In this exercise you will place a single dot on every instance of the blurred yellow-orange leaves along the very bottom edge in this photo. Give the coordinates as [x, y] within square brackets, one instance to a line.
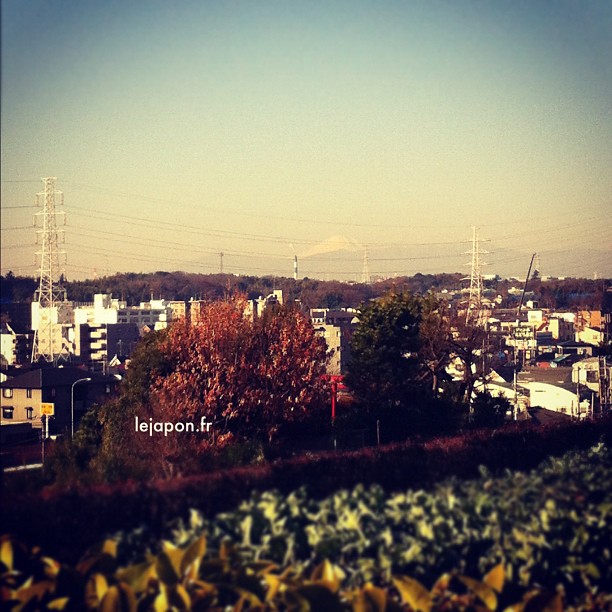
[186, 579]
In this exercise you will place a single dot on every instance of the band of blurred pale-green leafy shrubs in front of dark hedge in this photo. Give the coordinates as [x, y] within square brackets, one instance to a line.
[549, 527]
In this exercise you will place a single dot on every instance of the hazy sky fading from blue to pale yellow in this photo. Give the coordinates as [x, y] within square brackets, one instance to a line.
[367, 138]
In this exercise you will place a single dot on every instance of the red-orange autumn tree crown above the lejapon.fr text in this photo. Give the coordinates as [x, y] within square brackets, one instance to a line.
[247, 377]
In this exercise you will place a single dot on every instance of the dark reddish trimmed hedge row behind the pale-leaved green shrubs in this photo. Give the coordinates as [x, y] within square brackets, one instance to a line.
[66, 522]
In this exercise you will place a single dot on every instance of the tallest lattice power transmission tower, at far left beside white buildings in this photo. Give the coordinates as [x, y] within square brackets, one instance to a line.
[48, 308]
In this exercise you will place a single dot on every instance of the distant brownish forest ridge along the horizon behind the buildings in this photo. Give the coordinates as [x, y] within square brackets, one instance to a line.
[139, 287]
